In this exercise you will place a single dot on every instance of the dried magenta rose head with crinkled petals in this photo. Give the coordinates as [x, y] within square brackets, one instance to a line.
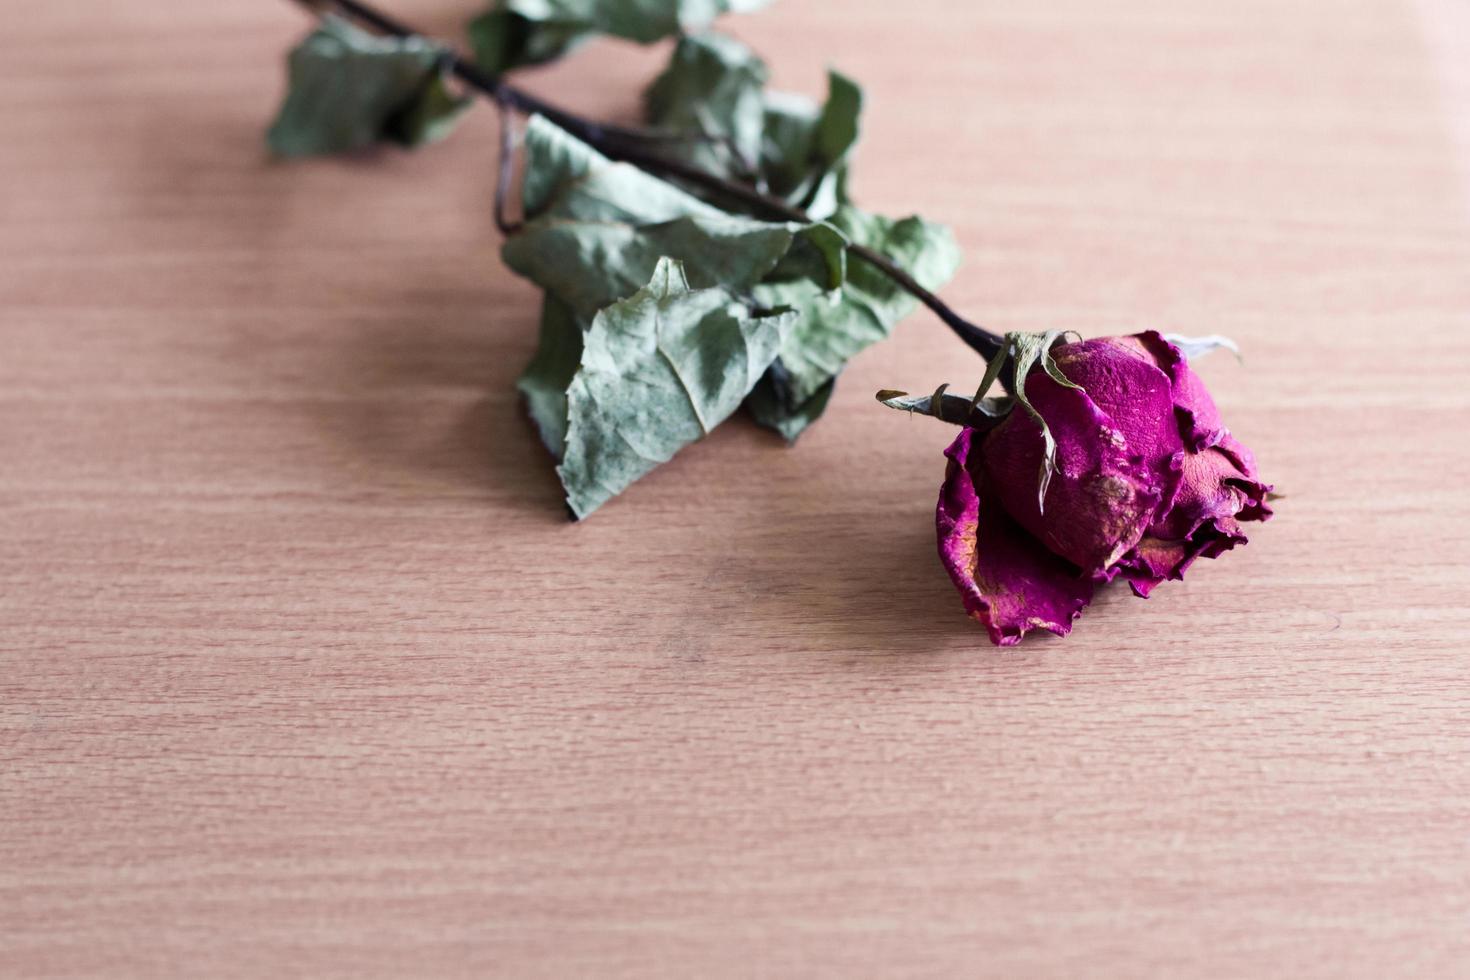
[1146, 480]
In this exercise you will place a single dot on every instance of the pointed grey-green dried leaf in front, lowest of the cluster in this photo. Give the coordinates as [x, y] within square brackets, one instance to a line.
[659, 371]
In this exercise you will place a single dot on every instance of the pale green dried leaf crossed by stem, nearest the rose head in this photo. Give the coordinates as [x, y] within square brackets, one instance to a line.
[836, 325]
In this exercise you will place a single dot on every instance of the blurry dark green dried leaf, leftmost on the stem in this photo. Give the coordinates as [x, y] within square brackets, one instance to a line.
[351, 90]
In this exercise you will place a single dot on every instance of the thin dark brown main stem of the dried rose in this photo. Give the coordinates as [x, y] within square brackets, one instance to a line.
[621, 143]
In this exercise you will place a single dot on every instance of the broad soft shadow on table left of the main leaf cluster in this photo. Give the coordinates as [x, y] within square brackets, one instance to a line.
[401, 355]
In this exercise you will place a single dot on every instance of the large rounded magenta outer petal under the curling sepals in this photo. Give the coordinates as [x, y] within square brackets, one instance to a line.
[1118, 453]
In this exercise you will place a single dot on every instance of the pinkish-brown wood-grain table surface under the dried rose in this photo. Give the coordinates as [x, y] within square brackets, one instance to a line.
[304, 672]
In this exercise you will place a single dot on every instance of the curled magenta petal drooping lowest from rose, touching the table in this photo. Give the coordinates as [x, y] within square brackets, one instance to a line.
[1009, 581]
